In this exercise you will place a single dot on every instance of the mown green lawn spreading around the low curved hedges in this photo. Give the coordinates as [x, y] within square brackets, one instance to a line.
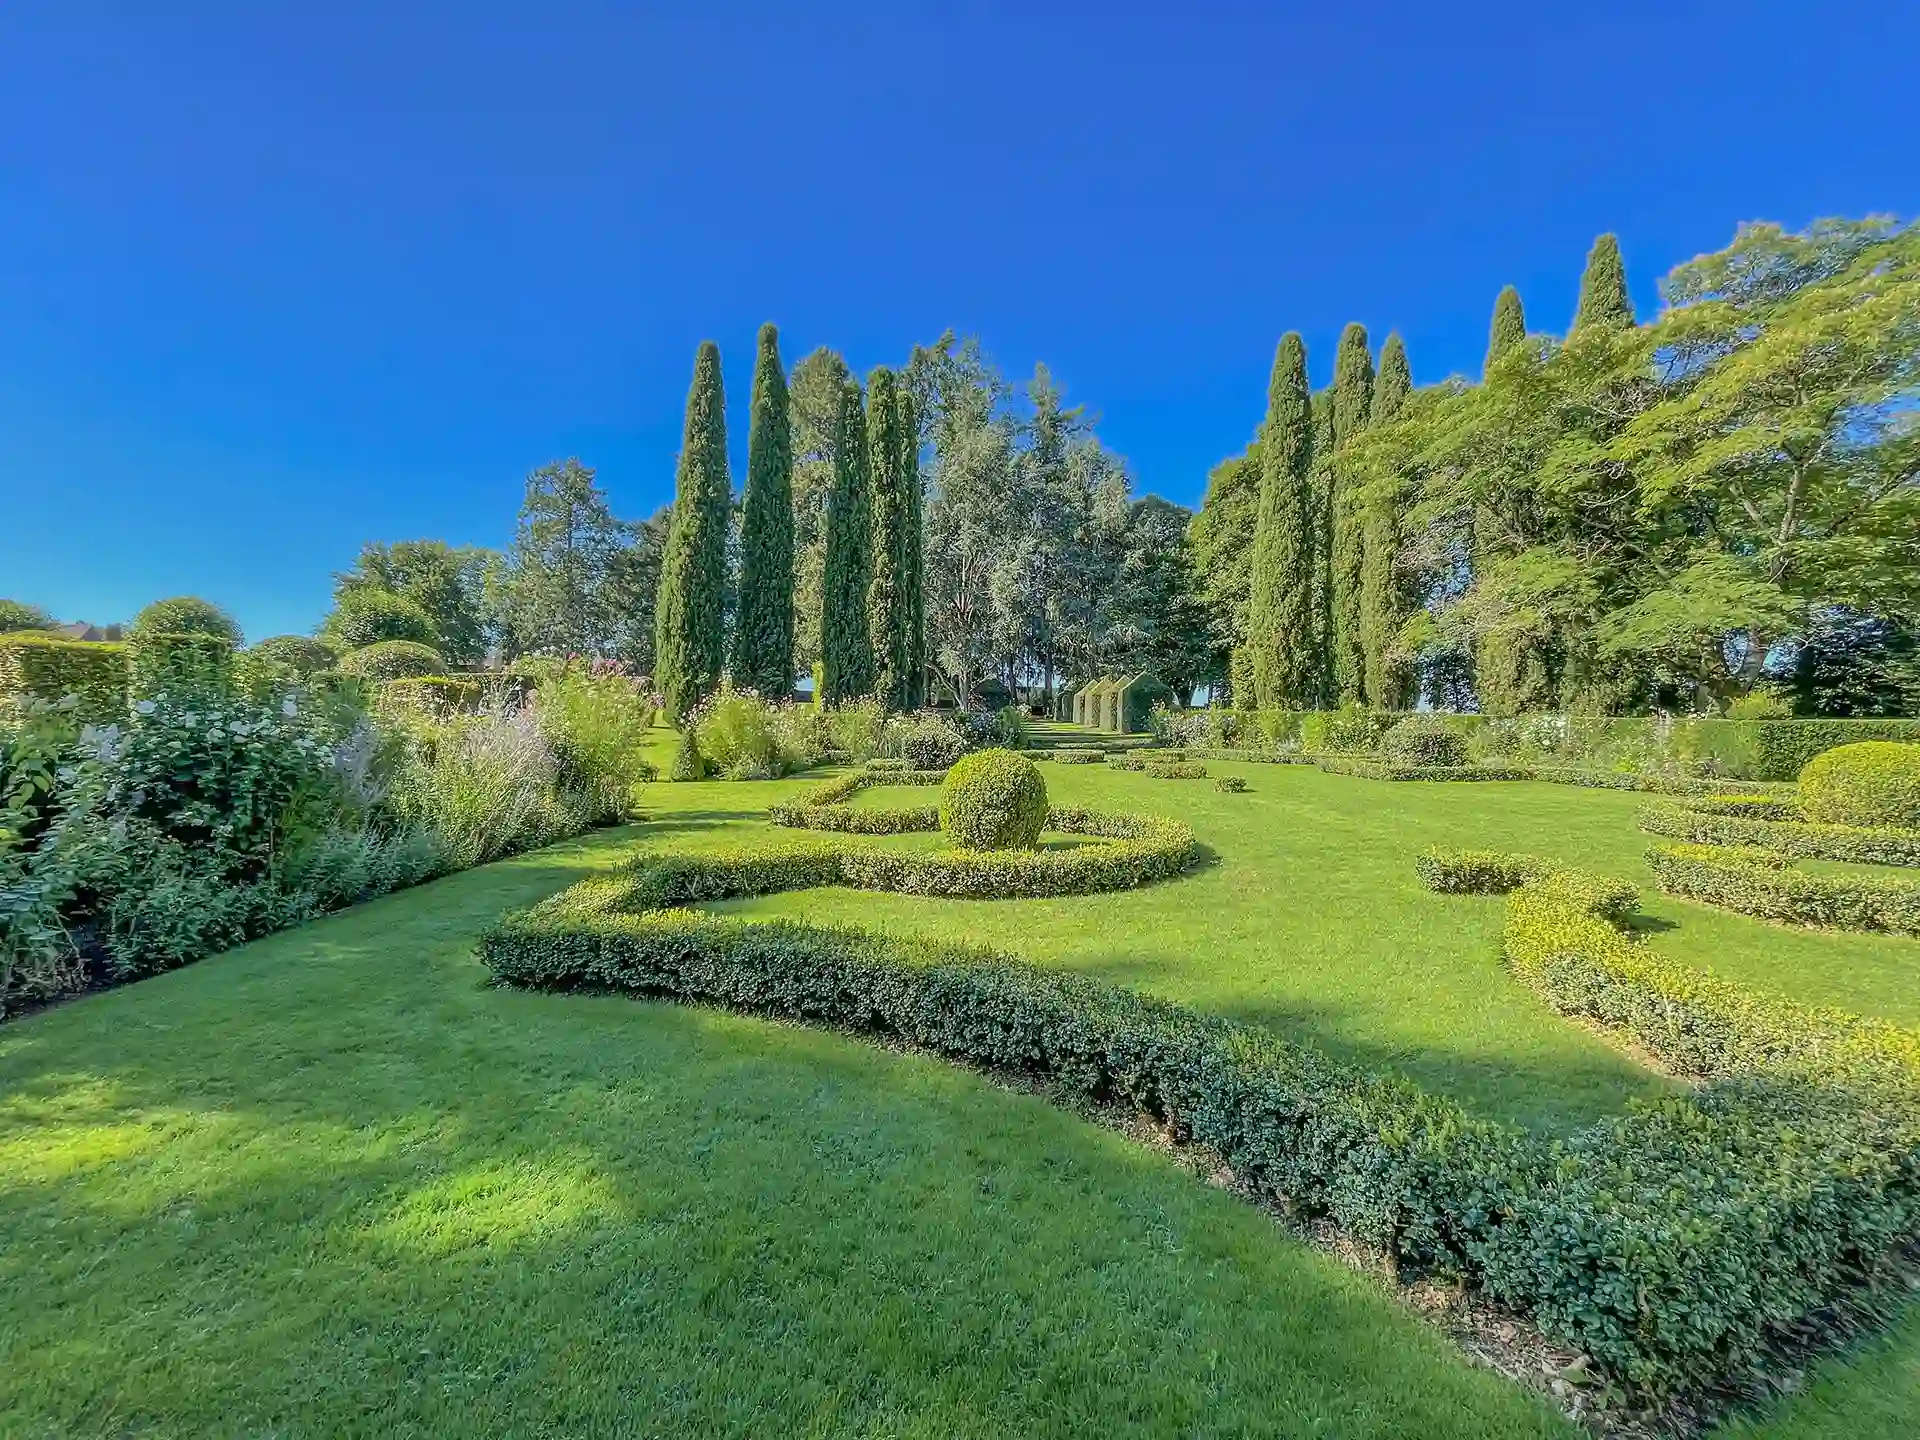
[333, 1186]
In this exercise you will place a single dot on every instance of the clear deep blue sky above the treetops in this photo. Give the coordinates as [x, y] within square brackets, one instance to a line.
[277, 279]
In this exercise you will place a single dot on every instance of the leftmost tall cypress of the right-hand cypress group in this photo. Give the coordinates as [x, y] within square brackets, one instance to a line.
[1280, 623]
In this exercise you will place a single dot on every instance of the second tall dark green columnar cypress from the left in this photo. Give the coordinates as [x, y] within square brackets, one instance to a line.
[763, 623]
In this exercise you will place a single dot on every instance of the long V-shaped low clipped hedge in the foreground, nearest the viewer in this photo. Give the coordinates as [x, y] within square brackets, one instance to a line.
[1669, 1243]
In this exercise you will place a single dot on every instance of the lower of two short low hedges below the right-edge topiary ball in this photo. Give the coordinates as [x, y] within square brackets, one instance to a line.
[1760, 882]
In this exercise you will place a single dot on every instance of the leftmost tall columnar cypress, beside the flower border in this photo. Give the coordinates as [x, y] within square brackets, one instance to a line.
[690, 613]
